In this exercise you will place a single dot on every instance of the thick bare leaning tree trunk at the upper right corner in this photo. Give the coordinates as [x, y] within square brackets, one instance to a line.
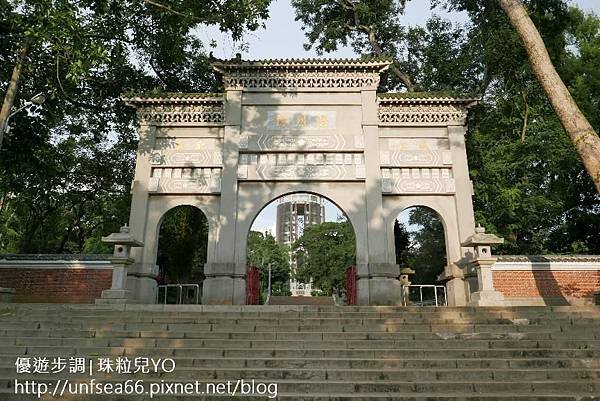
[578, 128]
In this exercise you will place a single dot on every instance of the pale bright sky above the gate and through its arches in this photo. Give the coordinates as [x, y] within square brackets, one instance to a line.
[284, 38]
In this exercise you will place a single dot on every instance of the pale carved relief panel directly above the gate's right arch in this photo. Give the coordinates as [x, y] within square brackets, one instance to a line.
[417, 181]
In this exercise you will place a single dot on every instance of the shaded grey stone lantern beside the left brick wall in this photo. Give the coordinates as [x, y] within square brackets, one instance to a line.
[123, 242]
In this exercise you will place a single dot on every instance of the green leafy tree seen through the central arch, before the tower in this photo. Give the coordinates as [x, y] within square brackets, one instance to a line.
[324, 252]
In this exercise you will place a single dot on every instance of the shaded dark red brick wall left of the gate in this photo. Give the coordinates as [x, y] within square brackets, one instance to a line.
[56, 285]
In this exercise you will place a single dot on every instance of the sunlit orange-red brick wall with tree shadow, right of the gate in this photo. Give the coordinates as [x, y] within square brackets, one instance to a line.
[547, 283]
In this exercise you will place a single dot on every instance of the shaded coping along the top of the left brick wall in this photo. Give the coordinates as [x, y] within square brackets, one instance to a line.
[55, 261]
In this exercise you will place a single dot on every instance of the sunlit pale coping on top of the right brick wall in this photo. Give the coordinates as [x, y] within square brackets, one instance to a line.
[550, 262]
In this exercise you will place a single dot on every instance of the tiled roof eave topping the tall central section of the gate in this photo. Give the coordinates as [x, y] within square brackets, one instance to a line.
[375, 64]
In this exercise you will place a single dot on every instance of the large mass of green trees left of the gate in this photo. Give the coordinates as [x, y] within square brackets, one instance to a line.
[66, 168]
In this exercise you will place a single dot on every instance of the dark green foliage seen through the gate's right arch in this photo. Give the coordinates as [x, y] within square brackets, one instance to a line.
[424, 249]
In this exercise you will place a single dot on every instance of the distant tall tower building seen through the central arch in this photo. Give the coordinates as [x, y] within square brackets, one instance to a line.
[294, 212]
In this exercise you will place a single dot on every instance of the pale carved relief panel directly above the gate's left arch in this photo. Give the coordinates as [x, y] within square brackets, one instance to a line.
[185, 180]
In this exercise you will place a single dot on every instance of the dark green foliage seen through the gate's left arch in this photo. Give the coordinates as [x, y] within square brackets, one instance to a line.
[182, 244]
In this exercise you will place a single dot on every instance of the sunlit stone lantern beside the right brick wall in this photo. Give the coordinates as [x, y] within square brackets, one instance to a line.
[482, 261]
